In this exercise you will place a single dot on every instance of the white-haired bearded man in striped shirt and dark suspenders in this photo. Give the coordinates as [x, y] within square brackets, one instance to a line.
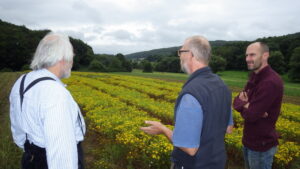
[46, 122]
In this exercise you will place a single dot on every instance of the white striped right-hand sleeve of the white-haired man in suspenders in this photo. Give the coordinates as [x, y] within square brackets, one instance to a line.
[60, 139]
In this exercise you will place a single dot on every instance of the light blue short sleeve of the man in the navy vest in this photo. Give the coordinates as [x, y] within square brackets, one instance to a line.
[188, 124]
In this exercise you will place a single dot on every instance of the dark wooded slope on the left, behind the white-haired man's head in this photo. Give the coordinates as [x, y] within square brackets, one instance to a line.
[18, 44]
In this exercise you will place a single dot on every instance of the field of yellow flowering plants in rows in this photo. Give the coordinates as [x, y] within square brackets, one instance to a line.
[116, 107]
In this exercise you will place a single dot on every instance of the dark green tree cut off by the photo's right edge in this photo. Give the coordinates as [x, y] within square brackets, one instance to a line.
[294, 72]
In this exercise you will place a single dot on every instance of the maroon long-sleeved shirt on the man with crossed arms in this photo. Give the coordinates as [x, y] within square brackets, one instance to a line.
[265, 91]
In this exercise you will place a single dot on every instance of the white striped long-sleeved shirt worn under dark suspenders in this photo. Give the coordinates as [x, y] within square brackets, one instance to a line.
[49, 116]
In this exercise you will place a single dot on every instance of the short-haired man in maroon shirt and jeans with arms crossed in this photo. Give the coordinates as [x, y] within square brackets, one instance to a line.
[259, 105]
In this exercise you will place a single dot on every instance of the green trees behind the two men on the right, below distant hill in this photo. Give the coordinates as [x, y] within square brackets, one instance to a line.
[284, 56]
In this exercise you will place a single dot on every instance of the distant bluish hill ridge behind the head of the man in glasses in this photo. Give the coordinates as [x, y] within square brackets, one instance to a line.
[171, 51]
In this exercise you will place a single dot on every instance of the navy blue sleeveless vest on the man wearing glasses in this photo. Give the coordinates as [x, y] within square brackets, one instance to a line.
[215, 99]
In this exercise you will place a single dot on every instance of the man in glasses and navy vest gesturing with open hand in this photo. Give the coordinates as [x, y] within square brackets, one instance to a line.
[202, 112]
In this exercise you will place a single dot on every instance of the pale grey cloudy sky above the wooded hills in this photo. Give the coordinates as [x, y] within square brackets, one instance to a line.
[127, 26]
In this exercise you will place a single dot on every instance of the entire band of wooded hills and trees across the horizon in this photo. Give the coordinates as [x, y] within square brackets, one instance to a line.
[18, 44]
